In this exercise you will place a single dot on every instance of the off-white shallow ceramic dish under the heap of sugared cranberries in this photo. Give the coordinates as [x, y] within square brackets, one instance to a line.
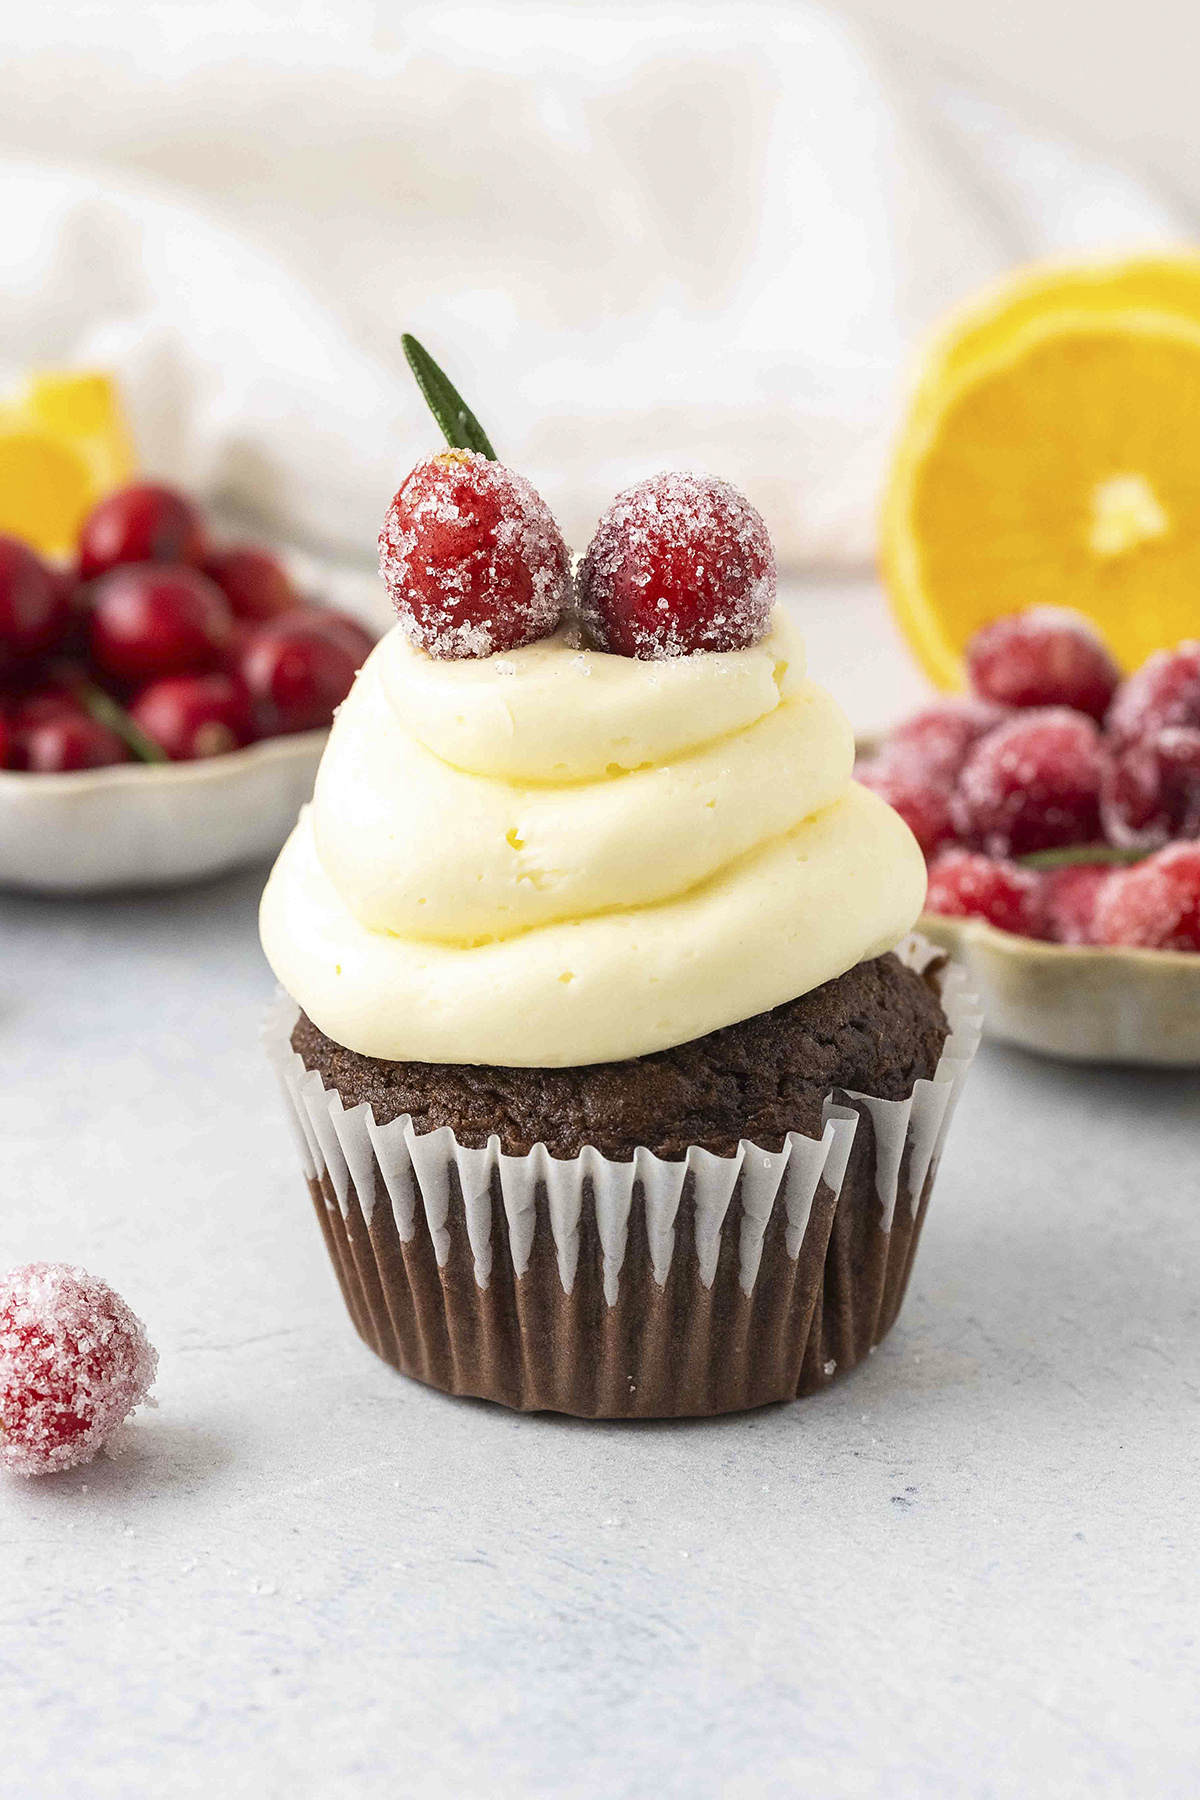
[1091, 1005]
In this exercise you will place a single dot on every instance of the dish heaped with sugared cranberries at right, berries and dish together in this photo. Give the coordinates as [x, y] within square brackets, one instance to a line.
[1059, 809]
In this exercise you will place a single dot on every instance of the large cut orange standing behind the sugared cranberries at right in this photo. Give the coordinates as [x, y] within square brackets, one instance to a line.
[1052, 456]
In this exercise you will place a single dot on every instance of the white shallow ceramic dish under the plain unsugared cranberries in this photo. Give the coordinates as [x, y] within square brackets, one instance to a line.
[157, 825]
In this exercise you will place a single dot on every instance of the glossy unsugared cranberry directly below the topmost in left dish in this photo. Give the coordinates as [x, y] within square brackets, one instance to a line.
[157, 622]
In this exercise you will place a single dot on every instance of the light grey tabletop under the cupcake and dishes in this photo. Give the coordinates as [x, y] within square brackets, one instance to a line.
[967, 1570]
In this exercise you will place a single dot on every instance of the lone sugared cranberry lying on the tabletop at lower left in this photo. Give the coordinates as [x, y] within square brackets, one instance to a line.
[75, 1362]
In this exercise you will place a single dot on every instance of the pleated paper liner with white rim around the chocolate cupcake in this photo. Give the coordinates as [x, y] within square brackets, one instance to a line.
[640, 1290]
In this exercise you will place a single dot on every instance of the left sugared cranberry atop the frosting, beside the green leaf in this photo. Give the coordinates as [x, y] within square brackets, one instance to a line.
[472, 559]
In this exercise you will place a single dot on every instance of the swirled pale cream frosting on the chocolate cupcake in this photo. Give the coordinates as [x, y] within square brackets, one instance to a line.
[559, 856]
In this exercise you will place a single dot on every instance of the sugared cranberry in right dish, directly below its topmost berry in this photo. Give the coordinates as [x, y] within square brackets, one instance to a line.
[1032, 784]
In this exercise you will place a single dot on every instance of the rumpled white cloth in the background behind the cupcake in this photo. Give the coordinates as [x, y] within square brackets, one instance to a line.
[659, 237]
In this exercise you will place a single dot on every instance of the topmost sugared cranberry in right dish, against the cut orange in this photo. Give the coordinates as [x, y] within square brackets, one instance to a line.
[1044, 656]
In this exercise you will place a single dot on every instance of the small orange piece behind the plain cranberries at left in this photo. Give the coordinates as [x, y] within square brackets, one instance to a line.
[64, 445]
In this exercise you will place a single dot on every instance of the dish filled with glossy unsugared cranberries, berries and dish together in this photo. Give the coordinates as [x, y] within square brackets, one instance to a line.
[163, 703]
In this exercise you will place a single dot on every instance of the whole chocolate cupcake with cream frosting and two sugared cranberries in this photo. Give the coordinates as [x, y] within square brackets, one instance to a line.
[618, 1081]
